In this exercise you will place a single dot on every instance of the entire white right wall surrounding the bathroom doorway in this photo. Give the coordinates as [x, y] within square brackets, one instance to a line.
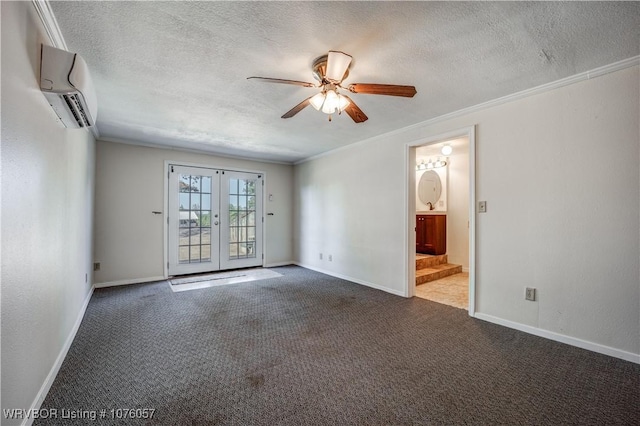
[560, 173]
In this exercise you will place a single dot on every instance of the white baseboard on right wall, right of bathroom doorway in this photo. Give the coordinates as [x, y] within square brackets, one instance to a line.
[573, 341]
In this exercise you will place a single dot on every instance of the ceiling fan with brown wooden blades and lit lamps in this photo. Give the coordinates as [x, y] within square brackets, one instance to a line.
[331, 70]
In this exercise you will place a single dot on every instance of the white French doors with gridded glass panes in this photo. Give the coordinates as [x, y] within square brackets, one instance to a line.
[215, 220]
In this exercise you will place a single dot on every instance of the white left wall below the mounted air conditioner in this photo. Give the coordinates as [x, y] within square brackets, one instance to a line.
[47, 210]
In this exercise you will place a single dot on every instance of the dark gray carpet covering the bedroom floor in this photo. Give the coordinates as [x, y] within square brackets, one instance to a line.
[308, 349]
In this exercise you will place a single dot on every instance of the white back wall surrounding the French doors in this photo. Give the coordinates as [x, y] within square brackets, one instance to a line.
[130, 185]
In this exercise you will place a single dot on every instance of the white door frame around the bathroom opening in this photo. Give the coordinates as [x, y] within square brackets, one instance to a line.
[410, 208]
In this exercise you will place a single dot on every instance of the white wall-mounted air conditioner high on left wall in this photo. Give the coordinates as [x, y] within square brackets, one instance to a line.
[67, 85]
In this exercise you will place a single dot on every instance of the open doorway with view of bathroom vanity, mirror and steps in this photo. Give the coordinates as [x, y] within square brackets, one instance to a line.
[441, 219]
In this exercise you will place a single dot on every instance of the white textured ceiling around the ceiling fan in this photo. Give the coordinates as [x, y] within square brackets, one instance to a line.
[174, 73]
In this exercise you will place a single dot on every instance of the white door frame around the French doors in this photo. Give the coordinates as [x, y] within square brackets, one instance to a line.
[165, 180]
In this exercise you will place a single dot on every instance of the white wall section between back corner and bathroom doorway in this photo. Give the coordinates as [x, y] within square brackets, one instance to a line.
[345, 206]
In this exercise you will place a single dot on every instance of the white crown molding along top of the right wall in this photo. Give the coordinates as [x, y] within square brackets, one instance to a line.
[587, 75]
